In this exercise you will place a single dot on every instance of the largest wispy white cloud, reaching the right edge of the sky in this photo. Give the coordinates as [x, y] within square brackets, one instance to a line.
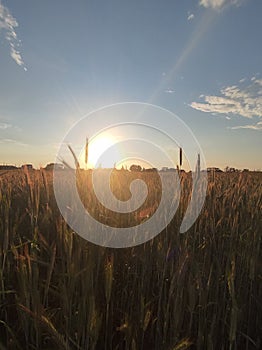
[234, 100]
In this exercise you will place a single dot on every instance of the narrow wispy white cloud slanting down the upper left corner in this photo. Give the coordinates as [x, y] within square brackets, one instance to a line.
[8, 25]
